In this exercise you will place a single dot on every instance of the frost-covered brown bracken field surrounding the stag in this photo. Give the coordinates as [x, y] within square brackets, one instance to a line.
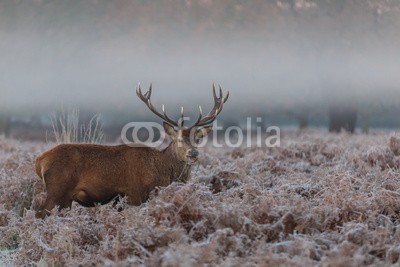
[319, 199]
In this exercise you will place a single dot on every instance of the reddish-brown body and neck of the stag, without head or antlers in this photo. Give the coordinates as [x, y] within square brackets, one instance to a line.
[92, 174]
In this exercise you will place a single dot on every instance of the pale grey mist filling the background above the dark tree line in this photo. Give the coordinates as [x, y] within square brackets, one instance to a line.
[273, 56]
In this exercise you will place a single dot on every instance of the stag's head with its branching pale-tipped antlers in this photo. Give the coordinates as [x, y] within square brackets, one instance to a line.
[184, 140]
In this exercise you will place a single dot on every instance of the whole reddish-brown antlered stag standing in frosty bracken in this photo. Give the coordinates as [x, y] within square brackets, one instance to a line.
[90, 174]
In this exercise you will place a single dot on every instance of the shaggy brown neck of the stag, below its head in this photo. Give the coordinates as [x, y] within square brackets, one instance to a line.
[177, 169]
